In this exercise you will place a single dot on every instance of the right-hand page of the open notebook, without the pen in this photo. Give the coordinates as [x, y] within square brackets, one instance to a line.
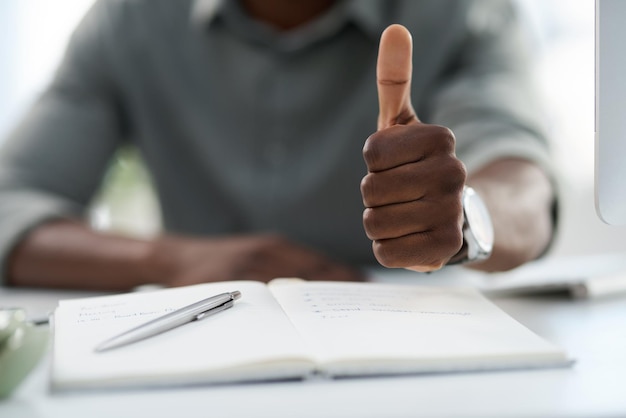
[365, 328]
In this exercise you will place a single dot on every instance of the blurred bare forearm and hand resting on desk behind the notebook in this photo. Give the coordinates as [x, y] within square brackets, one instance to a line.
[69, 254]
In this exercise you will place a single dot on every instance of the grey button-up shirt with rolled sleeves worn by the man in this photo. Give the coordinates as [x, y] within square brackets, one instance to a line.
[246, 129]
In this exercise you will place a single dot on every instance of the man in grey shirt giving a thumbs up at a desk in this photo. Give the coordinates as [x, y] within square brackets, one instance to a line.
[255, 117]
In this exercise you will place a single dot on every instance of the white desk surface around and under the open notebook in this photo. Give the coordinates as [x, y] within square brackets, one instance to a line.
[593, 332]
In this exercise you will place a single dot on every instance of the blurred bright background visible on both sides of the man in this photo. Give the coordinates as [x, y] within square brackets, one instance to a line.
[34, 32]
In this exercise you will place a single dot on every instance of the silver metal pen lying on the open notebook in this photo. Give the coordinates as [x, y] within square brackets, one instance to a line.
[171, 320]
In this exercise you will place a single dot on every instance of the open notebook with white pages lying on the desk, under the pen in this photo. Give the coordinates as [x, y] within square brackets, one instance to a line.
[291, 329]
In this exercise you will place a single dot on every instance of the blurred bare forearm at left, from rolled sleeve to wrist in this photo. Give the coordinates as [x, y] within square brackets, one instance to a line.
[68, 254]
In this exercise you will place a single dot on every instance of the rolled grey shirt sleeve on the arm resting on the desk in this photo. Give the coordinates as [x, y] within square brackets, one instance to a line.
[53, 161]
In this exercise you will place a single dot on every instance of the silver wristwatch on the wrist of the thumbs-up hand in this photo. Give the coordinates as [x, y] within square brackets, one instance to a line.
[477, 229]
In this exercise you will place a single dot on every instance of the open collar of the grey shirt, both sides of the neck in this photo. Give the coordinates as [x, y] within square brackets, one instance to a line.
[366, 14]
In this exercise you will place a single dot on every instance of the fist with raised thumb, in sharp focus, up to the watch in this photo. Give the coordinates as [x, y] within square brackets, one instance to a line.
[413, 189]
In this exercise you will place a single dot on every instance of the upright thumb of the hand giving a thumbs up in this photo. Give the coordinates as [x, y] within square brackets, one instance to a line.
[393, 77]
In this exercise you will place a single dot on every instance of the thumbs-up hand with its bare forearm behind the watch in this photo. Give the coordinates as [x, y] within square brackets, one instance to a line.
[412, 192]
